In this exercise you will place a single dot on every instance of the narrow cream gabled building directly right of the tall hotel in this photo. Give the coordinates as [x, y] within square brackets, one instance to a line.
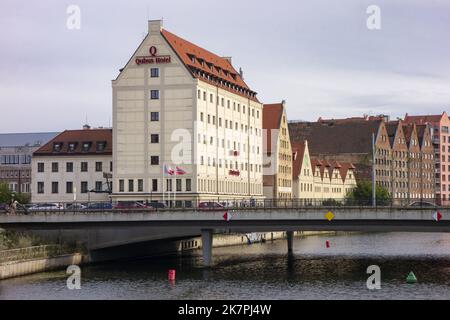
[277, 151]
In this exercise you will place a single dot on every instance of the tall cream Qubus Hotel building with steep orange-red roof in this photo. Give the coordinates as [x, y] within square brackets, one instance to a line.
[185, 124]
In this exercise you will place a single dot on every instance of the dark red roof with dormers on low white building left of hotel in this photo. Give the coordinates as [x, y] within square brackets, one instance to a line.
[78, 137]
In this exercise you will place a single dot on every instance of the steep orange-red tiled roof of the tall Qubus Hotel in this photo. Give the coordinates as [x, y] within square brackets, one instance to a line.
[209, 67]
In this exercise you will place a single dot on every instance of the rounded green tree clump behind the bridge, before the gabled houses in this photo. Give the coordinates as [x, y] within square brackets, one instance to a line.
[362, 194]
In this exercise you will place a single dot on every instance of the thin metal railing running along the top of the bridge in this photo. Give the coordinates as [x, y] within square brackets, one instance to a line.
[218, 204]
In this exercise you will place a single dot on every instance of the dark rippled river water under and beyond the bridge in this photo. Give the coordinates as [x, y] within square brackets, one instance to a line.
[265, 271]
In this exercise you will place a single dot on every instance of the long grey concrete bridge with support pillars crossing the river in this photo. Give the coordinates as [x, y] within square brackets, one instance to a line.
[172, 223]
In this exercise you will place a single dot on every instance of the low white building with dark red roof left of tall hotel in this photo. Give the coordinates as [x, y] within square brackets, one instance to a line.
[76, 165]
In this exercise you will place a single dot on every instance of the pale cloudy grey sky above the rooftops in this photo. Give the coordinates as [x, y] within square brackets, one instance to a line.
[319, 55]
